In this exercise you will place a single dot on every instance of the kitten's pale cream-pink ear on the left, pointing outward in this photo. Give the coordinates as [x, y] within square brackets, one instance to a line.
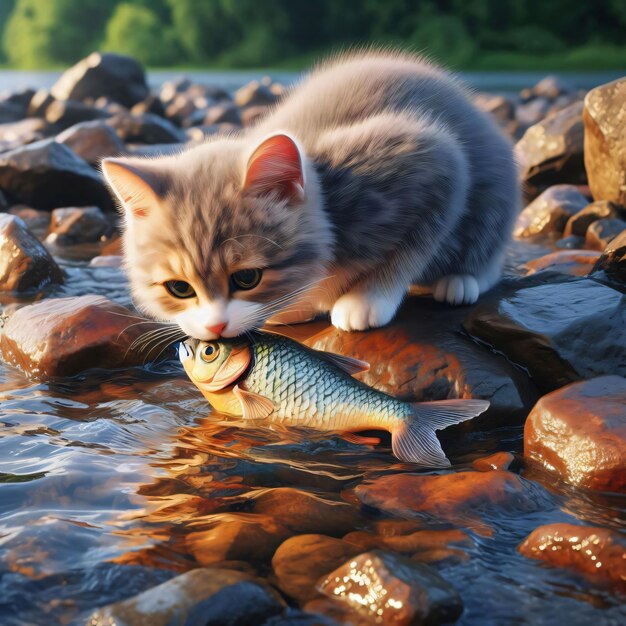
[137, 184]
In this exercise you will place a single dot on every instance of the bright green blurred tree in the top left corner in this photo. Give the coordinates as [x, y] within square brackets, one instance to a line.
[44, 32]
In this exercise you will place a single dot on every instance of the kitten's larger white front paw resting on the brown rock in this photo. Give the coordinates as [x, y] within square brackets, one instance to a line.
[359, 310]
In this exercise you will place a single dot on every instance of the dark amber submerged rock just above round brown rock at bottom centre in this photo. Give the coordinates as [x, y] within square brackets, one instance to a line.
[303, 512]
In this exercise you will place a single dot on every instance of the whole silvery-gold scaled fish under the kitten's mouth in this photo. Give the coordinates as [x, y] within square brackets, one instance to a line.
[270, 378]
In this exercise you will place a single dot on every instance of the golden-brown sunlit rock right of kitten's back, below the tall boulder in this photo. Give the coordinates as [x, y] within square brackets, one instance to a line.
[548, 213]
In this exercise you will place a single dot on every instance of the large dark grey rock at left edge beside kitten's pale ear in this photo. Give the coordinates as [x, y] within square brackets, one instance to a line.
[47, 174]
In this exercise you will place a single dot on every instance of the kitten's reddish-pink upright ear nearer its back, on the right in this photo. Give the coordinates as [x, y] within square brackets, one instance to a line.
[276, 166]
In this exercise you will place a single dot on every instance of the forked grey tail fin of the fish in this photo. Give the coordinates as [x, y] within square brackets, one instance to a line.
[414, 439]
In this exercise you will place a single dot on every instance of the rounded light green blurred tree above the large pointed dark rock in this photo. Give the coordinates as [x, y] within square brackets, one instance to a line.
[137, 31]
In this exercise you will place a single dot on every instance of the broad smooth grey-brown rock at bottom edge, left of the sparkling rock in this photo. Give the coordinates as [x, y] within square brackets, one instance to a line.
[200, 597]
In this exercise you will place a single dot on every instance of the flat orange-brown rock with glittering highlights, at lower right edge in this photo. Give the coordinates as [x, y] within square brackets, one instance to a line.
[597, 553]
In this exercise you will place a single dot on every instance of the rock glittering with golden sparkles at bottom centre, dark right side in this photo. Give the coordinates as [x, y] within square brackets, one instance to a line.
[389, 589]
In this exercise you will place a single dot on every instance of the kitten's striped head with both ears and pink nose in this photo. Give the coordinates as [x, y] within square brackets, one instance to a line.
[223, 236]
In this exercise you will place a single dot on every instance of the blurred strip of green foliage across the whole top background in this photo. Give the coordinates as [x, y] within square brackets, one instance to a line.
[460, 33]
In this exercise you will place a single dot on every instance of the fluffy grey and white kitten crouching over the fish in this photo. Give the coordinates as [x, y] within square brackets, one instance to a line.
[375, 172]
